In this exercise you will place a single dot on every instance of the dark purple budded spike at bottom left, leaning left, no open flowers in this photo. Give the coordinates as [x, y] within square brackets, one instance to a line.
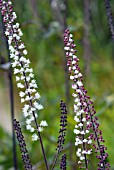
[22, 145]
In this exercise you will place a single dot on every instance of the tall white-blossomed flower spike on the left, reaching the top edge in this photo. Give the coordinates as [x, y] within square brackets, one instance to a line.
[24, 74]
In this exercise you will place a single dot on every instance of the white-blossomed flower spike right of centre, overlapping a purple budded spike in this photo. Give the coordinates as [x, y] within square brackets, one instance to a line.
[82, 133]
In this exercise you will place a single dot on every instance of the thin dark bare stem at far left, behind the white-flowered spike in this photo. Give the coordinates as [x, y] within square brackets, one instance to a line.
[11, 102]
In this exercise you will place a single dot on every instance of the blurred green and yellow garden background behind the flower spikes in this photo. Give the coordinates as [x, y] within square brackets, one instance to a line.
[42, 23]
